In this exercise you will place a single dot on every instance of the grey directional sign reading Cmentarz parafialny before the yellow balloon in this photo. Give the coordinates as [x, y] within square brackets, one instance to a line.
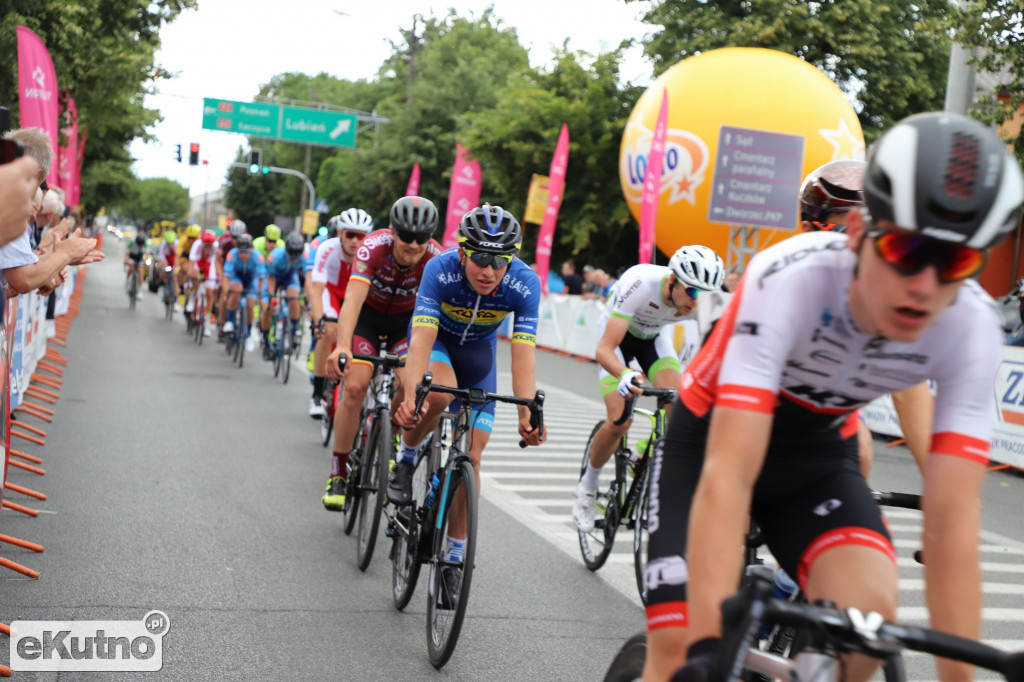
[757, 179]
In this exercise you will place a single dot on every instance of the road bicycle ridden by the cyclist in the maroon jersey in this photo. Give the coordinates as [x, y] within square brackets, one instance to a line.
[372, 454]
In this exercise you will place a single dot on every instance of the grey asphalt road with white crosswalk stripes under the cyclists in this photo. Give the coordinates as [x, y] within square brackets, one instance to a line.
[179, 483]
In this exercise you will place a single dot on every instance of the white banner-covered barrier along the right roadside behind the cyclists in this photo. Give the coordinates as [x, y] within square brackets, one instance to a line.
[569, 324]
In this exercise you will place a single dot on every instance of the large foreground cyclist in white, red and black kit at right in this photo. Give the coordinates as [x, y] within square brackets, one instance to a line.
[821, 325]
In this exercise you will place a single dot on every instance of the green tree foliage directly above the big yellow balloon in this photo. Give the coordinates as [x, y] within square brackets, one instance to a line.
[890, 56]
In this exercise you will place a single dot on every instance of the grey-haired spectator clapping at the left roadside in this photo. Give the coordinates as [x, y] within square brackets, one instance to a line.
[21, 270]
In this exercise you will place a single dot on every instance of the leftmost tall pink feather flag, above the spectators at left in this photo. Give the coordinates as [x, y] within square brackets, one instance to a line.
[37, 91]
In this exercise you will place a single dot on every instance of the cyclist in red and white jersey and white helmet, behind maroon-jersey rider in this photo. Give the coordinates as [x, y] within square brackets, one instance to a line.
[327, 289]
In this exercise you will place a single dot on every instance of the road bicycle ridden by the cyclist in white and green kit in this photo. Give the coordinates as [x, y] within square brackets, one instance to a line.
[624, 502]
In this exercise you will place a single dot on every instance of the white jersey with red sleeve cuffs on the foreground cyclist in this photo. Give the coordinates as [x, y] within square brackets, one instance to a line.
[788, 346]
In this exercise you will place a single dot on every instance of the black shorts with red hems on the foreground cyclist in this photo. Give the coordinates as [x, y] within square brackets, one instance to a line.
[810, 495]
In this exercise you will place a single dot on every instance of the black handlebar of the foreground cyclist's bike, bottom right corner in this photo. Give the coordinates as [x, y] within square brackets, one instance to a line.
[743, 615]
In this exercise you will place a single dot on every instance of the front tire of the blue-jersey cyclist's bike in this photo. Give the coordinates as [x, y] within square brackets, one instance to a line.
[441, 649]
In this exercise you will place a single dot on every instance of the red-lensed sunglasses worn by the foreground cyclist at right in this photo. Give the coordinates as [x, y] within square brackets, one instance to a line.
[910, 254]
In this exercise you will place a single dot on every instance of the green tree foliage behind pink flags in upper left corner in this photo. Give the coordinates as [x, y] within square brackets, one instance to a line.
[103, 53]
